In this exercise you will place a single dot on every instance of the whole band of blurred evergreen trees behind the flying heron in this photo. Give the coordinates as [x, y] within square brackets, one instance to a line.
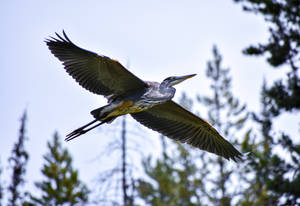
[269, 175]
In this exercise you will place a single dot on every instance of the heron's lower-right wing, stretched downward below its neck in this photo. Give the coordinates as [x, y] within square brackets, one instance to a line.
[177, 123]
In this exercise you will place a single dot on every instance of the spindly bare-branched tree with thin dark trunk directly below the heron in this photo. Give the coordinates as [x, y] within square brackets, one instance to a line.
[117, 185]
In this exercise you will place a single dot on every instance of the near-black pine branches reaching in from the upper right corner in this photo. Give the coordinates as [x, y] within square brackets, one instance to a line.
[283, 48]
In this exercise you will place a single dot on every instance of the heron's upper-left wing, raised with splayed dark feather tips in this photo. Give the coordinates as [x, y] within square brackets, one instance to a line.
[96, 73]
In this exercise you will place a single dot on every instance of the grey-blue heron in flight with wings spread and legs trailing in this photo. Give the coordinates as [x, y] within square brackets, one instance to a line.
[149, 103]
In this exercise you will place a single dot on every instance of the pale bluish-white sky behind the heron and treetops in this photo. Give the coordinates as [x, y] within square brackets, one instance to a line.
[157, 38]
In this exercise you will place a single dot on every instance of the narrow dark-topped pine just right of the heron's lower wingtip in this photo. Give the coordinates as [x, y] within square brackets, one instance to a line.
[257, 193]
